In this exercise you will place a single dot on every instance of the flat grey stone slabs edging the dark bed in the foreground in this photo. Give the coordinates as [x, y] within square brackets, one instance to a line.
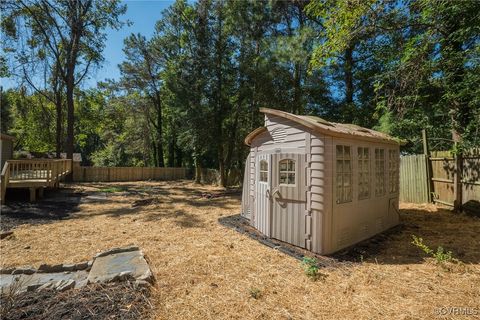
[118, 264]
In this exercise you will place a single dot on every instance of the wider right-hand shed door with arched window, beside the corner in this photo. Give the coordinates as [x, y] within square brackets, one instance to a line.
[289, 198]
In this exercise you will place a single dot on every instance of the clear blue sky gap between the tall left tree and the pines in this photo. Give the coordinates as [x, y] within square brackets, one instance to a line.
[143, 14]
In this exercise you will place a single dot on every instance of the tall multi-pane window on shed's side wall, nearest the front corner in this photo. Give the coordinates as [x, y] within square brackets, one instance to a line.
[344, 174]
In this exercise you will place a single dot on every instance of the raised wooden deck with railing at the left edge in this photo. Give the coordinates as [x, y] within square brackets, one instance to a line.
[34, 175]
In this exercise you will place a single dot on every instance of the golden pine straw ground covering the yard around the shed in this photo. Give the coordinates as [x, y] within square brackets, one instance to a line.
[205, 270]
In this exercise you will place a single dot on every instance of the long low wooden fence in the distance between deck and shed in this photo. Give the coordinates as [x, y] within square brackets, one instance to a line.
[116, 174]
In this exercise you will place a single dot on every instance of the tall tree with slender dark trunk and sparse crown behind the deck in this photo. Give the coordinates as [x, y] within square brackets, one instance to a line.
[74, 34]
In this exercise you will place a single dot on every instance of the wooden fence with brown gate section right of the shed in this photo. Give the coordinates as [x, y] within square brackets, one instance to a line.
[432, 178]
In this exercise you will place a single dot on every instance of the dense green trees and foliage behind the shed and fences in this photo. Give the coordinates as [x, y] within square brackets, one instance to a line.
[191, 92]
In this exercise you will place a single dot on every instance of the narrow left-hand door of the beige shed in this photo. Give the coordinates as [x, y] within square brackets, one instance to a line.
[262, 193]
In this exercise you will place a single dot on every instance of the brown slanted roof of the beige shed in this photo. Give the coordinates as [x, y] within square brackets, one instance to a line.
[342, 130]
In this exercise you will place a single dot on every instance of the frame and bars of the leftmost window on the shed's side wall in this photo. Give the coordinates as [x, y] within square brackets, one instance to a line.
[342, 198]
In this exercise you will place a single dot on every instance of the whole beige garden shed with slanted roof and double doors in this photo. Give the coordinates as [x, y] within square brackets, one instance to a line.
[320, 185]
